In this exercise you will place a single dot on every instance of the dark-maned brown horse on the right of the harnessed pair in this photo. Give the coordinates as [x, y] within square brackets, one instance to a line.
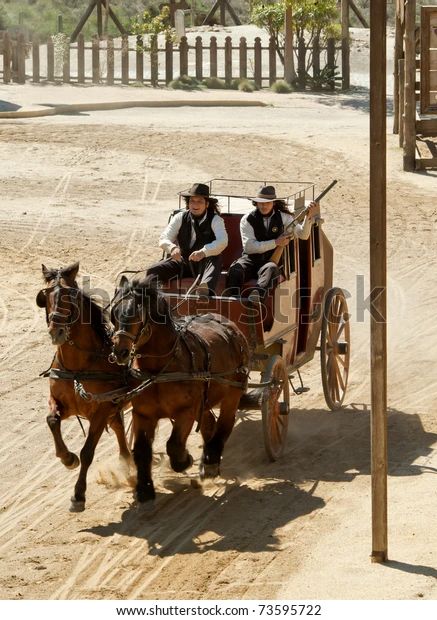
[187, 367]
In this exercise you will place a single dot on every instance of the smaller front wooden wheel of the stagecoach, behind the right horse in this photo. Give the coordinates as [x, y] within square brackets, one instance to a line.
[275, 403]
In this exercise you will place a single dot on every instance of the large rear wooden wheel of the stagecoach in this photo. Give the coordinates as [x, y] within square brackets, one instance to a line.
[335, 348]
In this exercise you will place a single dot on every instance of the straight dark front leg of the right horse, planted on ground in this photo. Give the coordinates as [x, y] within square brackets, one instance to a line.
[144, 434]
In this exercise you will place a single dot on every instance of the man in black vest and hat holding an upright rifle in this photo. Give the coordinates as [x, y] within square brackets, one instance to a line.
[261, 232]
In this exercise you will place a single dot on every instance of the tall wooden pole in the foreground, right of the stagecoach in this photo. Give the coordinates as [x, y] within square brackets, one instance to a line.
[378, 279]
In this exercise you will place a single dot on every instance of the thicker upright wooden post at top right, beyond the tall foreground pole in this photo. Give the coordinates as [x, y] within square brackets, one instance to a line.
[410, 86]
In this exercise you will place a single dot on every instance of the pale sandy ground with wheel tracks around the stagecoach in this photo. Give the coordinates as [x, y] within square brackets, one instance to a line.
[98, 187]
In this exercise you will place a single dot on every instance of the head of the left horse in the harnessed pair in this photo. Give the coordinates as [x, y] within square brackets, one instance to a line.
[59, 298]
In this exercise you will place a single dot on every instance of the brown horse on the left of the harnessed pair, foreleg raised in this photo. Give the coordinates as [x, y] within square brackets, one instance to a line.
[78, 328]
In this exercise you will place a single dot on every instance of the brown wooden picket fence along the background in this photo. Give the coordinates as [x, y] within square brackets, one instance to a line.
[127, 60]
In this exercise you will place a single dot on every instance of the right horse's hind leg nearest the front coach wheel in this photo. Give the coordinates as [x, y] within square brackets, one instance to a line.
[213, 448]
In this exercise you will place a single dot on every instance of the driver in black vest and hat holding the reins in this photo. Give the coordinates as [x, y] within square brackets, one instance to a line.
[194, 240]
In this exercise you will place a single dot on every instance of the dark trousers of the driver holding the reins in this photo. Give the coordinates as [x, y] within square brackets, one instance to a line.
[209, 269]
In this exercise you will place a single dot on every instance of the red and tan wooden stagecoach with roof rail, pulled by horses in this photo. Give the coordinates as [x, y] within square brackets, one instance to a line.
[302, 315]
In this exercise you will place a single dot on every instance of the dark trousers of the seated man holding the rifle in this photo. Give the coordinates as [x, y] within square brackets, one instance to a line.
[249, 268]
